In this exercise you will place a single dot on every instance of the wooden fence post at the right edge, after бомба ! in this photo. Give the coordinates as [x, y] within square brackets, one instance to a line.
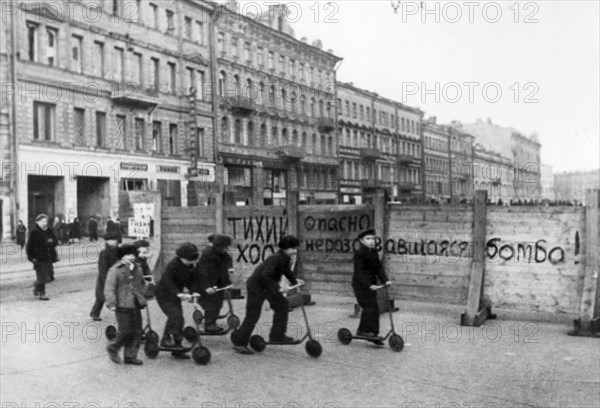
[588, 323]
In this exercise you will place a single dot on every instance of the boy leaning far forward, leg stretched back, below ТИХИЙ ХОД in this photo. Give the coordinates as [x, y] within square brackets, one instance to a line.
[264, 284]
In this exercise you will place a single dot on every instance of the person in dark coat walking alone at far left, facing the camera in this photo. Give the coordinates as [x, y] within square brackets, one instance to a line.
[41, 251]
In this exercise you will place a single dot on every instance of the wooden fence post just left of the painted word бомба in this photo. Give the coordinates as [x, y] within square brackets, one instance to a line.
[476, 313]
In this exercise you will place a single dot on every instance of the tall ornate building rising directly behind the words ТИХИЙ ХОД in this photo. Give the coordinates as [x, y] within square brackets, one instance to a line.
[276, 111]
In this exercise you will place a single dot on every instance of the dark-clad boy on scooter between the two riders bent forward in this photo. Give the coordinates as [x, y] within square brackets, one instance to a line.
[213, 270]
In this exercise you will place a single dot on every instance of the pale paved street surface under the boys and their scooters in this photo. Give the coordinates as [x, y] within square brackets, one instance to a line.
[52, 352]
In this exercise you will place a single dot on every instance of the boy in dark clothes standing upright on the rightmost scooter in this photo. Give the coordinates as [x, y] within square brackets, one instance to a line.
[367, 268]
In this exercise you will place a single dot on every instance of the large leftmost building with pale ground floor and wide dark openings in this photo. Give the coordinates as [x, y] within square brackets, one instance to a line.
[102, 105]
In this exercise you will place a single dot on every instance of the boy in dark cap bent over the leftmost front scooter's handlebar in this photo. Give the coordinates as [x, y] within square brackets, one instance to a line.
[177, 275]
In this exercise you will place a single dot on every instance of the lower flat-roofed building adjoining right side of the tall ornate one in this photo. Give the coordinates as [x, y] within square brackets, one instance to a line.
[380, 146]
